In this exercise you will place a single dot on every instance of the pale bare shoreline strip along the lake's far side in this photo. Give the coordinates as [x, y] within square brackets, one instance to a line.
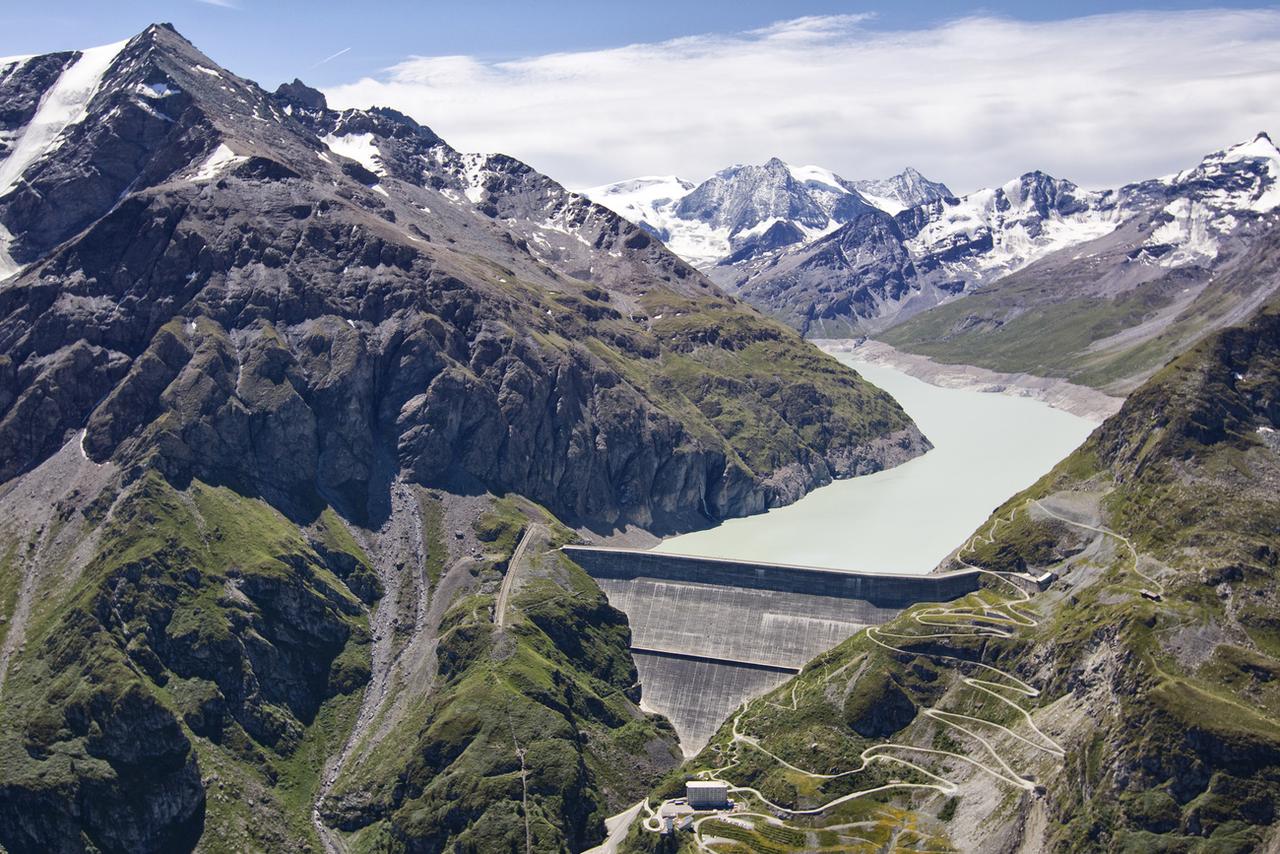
[1062, 395]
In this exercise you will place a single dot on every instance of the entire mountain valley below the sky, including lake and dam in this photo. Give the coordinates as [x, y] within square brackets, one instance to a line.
[363, 495]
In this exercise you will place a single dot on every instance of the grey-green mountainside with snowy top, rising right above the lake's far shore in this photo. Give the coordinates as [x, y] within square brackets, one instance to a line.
[1190, 254]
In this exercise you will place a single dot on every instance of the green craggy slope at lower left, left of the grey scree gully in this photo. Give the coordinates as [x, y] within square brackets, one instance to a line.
[202, 666]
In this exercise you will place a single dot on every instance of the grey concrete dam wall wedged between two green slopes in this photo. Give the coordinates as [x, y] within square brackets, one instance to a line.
[708, 634]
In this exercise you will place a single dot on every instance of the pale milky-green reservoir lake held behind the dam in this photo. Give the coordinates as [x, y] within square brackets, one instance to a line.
[988, 447]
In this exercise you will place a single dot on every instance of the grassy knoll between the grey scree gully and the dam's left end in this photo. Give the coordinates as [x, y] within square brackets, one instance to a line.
[531, 729]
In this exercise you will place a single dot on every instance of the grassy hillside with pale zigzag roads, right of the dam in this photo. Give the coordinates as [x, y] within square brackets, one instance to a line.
[1130, 706]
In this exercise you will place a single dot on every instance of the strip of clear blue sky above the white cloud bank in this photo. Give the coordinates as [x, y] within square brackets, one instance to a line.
[277, 40]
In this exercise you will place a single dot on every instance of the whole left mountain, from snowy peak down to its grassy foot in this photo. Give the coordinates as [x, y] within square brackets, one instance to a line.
[257, 358]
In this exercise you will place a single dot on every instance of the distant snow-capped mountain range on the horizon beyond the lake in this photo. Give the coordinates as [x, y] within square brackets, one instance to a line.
[880, 264]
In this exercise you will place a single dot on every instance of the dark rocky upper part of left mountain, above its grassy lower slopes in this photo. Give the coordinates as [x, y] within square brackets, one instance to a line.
[264, 310]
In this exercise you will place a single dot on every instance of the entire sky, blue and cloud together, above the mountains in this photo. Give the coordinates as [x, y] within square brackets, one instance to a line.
[593, 92]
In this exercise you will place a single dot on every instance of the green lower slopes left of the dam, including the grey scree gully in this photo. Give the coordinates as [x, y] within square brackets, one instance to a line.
[189, 669]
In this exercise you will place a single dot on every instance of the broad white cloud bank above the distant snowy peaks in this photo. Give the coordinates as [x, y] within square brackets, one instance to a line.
[976, 102]
